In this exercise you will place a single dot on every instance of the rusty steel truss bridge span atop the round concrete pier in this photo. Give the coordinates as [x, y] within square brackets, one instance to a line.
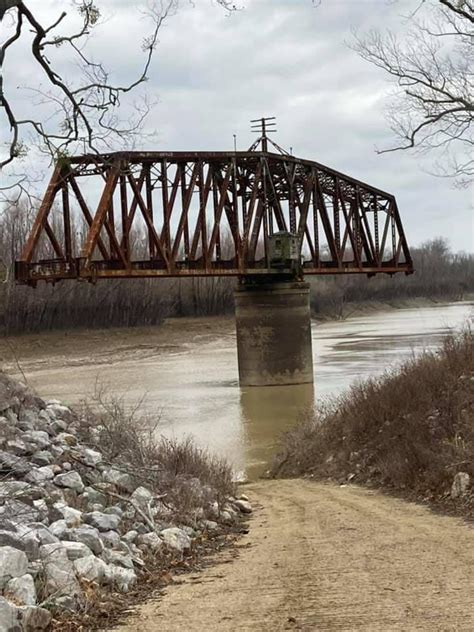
[207, 214]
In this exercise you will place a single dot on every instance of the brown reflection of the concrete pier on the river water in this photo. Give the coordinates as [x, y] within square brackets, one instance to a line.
[266, 413]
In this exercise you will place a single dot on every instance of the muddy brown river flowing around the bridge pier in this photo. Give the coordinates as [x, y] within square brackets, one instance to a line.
[185, 372]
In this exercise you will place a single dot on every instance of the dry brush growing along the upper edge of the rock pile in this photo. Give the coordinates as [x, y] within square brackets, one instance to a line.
[187, 476]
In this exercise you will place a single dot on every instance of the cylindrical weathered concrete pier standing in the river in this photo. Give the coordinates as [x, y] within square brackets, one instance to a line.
[274, 334]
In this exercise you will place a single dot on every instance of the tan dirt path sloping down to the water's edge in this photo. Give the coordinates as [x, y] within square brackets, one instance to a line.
[321, 557]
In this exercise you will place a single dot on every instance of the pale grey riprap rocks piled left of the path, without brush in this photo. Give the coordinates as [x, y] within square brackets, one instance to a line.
[69, 519]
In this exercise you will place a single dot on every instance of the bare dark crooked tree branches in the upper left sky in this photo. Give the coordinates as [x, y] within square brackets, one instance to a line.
[78, 110]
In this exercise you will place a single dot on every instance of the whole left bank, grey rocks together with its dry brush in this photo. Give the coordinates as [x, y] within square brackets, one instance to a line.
[95, 511]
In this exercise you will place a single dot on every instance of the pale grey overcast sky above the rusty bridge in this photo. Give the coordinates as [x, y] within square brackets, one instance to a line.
[286, 58]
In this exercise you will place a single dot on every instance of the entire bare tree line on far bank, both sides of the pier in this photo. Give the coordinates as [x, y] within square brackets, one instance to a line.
[440, 274]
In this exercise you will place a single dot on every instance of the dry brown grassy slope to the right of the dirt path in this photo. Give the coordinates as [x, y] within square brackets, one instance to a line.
[411, 429]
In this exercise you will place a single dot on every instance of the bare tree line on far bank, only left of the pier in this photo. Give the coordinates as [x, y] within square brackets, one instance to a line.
[109, 303]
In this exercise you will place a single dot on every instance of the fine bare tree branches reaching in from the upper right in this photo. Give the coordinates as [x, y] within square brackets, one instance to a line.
[432, 67]
